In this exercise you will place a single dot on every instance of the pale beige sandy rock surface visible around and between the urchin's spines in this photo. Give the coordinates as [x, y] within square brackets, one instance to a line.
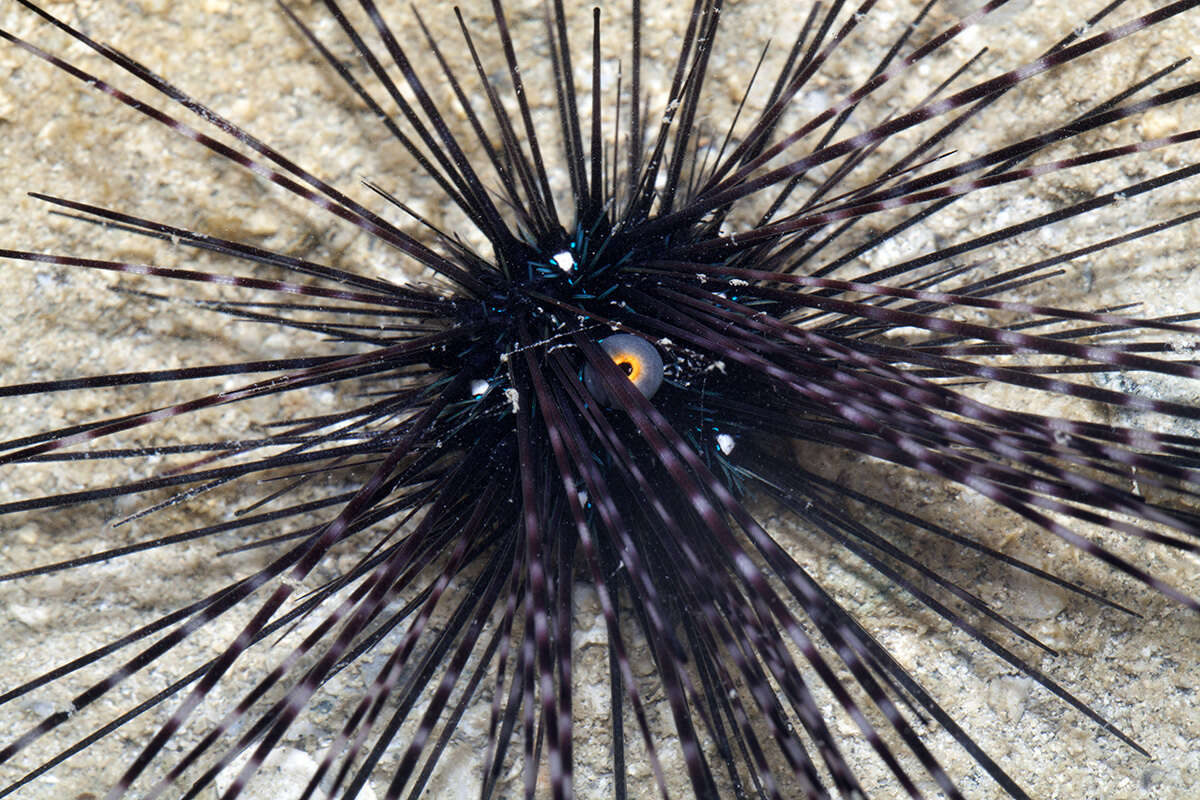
[242, 58]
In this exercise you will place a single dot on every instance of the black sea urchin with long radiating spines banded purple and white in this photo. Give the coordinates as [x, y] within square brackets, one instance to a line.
[805, 363]
